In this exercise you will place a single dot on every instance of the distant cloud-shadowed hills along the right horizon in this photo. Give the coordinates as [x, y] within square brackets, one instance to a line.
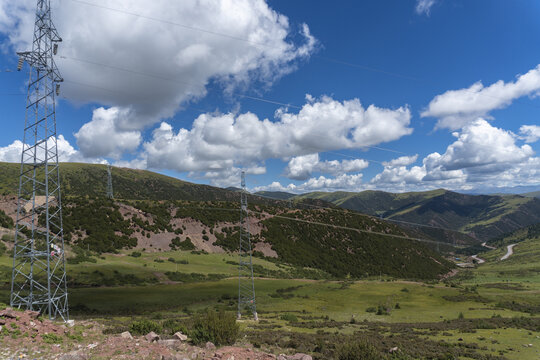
[482, 216]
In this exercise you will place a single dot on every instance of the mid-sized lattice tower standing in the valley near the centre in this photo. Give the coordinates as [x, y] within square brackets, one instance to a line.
[246, 286]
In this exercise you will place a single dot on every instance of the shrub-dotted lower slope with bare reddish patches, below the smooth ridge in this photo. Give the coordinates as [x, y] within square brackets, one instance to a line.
[296, 237]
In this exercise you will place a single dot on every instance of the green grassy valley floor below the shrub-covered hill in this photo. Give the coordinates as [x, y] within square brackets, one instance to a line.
[490, 312]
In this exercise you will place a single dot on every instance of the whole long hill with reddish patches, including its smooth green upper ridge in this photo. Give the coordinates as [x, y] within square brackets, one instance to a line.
[152, 212]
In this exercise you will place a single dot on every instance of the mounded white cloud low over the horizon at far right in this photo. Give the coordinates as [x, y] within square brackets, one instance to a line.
[482, 155]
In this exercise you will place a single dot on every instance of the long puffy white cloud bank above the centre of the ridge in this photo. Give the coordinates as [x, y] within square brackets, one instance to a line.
[219, 142]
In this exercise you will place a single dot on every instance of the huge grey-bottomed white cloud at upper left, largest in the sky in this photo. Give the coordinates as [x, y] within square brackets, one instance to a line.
[150, 65]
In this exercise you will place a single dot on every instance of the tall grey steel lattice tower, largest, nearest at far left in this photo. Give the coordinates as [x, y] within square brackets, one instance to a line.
[39, 277]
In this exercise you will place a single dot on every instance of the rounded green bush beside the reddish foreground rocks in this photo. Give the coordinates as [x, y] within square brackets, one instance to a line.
[218, 327]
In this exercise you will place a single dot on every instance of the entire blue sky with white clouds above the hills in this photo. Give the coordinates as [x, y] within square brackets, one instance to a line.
[382, 93]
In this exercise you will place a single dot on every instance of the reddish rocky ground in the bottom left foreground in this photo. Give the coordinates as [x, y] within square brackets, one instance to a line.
[25, 335]
